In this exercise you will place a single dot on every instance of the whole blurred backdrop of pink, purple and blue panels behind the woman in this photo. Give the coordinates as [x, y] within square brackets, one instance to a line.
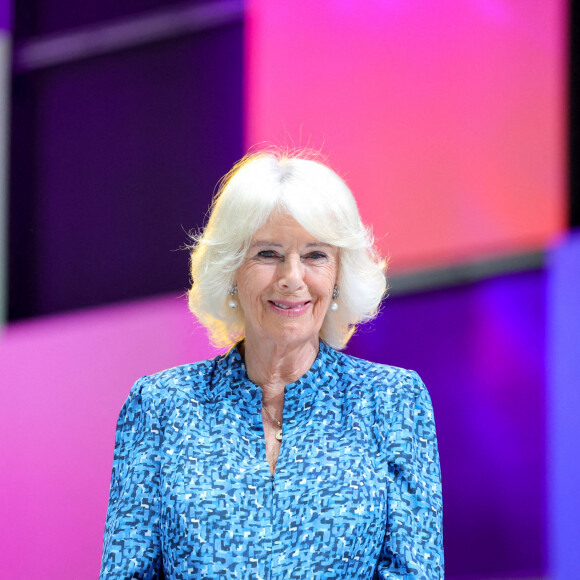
[456, 126]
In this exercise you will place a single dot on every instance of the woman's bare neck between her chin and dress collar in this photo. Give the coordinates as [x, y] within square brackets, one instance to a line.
[273, 366]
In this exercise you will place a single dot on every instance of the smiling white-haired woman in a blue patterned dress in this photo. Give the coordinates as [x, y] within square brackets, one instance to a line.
[283, 458]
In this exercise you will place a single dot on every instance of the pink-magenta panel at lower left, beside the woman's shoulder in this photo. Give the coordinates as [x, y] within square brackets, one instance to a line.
[64, 380]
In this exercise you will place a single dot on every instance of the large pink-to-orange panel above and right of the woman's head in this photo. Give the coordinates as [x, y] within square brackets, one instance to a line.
[446, 118]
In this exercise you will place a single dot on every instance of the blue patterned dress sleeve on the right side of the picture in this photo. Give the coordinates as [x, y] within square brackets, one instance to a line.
[413, 544]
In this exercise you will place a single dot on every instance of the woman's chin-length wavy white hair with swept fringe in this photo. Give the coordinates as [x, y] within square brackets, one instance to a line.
[319, 200]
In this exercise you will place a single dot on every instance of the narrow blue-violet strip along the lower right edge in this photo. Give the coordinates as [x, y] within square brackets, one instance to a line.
[564, 409]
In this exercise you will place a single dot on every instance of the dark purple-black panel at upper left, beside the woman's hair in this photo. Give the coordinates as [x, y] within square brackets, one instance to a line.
[113, 160]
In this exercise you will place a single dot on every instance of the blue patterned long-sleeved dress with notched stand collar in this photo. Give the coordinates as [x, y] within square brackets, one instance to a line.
[356, 493]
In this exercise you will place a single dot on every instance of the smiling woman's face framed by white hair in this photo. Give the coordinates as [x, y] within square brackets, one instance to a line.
[285, 283]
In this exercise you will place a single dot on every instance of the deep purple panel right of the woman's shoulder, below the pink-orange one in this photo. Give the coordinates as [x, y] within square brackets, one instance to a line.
[480, 350]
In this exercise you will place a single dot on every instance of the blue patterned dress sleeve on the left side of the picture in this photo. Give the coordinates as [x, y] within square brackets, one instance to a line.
[131, 546]
